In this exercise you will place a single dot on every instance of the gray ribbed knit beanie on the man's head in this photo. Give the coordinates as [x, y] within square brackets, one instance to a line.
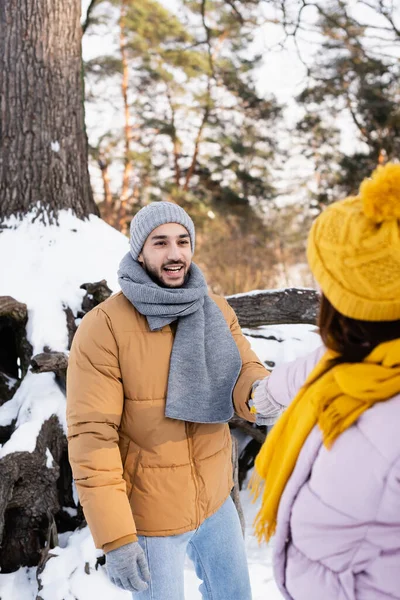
[153, 215]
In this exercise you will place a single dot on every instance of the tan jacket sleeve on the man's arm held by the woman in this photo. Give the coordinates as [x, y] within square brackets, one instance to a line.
[252, 369]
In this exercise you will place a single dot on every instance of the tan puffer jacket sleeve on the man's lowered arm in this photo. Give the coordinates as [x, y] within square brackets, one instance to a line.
[95, 401]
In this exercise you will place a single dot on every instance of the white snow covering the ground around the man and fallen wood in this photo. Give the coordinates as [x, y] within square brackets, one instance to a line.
[43, 266]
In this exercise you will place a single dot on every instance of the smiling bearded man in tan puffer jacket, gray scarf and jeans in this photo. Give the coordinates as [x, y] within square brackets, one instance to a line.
[154, 375]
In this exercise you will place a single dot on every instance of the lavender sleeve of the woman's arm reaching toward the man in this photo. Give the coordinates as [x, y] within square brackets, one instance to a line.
[286, 379]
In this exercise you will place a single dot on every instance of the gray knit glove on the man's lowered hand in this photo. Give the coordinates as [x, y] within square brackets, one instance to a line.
[127, 567]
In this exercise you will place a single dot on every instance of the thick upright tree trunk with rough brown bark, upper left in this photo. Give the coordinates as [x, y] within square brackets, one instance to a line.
[43, 144]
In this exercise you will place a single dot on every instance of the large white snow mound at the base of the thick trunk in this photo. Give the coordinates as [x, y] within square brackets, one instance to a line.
[46, 264]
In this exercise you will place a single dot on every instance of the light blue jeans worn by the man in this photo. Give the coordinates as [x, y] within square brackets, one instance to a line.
[217, 551]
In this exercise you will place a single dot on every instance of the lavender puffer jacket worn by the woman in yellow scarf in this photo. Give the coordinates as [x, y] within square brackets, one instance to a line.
[338, 533]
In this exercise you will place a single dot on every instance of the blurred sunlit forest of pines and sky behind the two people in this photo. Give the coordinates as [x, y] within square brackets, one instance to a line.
[251, 114]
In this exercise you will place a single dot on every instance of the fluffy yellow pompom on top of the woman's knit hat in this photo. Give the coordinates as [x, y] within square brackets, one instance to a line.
[380, 195]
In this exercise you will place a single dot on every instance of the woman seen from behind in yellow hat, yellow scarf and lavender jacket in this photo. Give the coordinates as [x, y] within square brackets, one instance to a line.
[329, 471]
